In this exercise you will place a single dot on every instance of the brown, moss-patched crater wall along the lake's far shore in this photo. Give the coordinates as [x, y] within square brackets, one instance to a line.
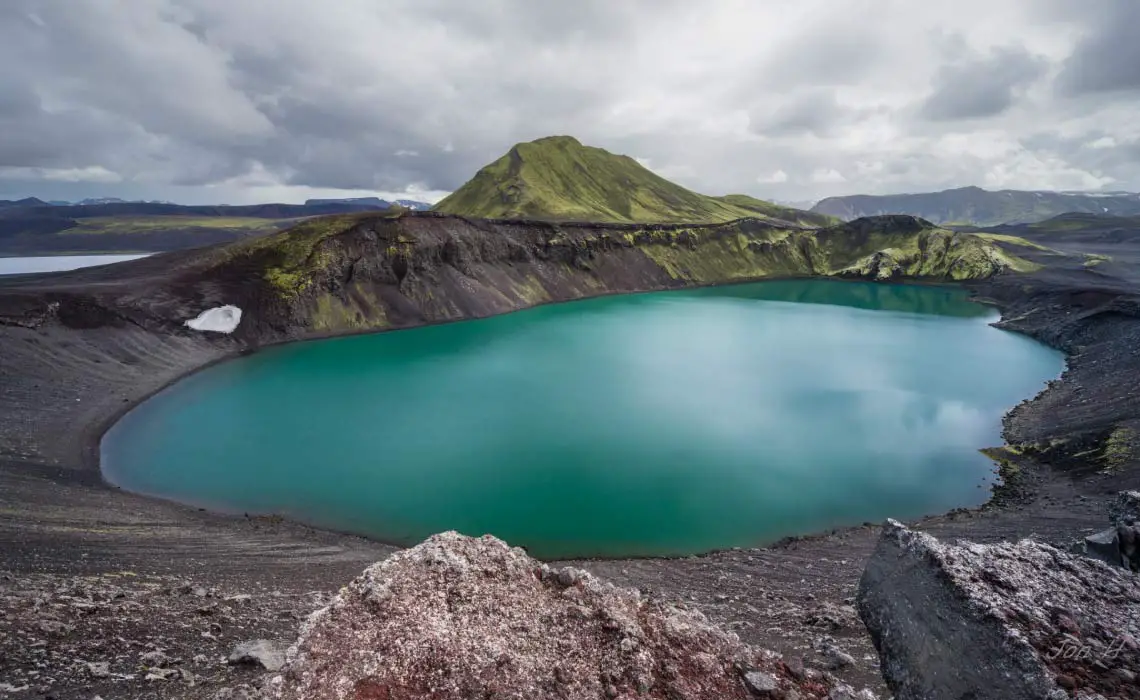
[349, 274]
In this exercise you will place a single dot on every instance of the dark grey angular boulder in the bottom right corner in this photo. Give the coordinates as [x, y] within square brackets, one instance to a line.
[1012, 621]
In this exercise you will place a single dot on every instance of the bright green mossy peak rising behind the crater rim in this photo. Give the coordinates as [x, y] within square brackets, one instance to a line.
[559, 180]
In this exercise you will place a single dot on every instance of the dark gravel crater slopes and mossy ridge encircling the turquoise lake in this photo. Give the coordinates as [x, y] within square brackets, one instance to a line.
[80, 347]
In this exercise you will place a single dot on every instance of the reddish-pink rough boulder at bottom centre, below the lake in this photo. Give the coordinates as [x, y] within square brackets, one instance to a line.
[458, 617]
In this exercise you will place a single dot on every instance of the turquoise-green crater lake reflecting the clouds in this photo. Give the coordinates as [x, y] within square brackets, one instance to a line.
[663, 424]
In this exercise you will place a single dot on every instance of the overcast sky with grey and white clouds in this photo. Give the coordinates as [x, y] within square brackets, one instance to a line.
[251, 101]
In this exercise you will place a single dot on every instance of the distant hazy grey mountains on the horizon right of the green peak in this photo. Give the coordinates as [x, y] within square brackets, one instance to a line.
[974, 206]
